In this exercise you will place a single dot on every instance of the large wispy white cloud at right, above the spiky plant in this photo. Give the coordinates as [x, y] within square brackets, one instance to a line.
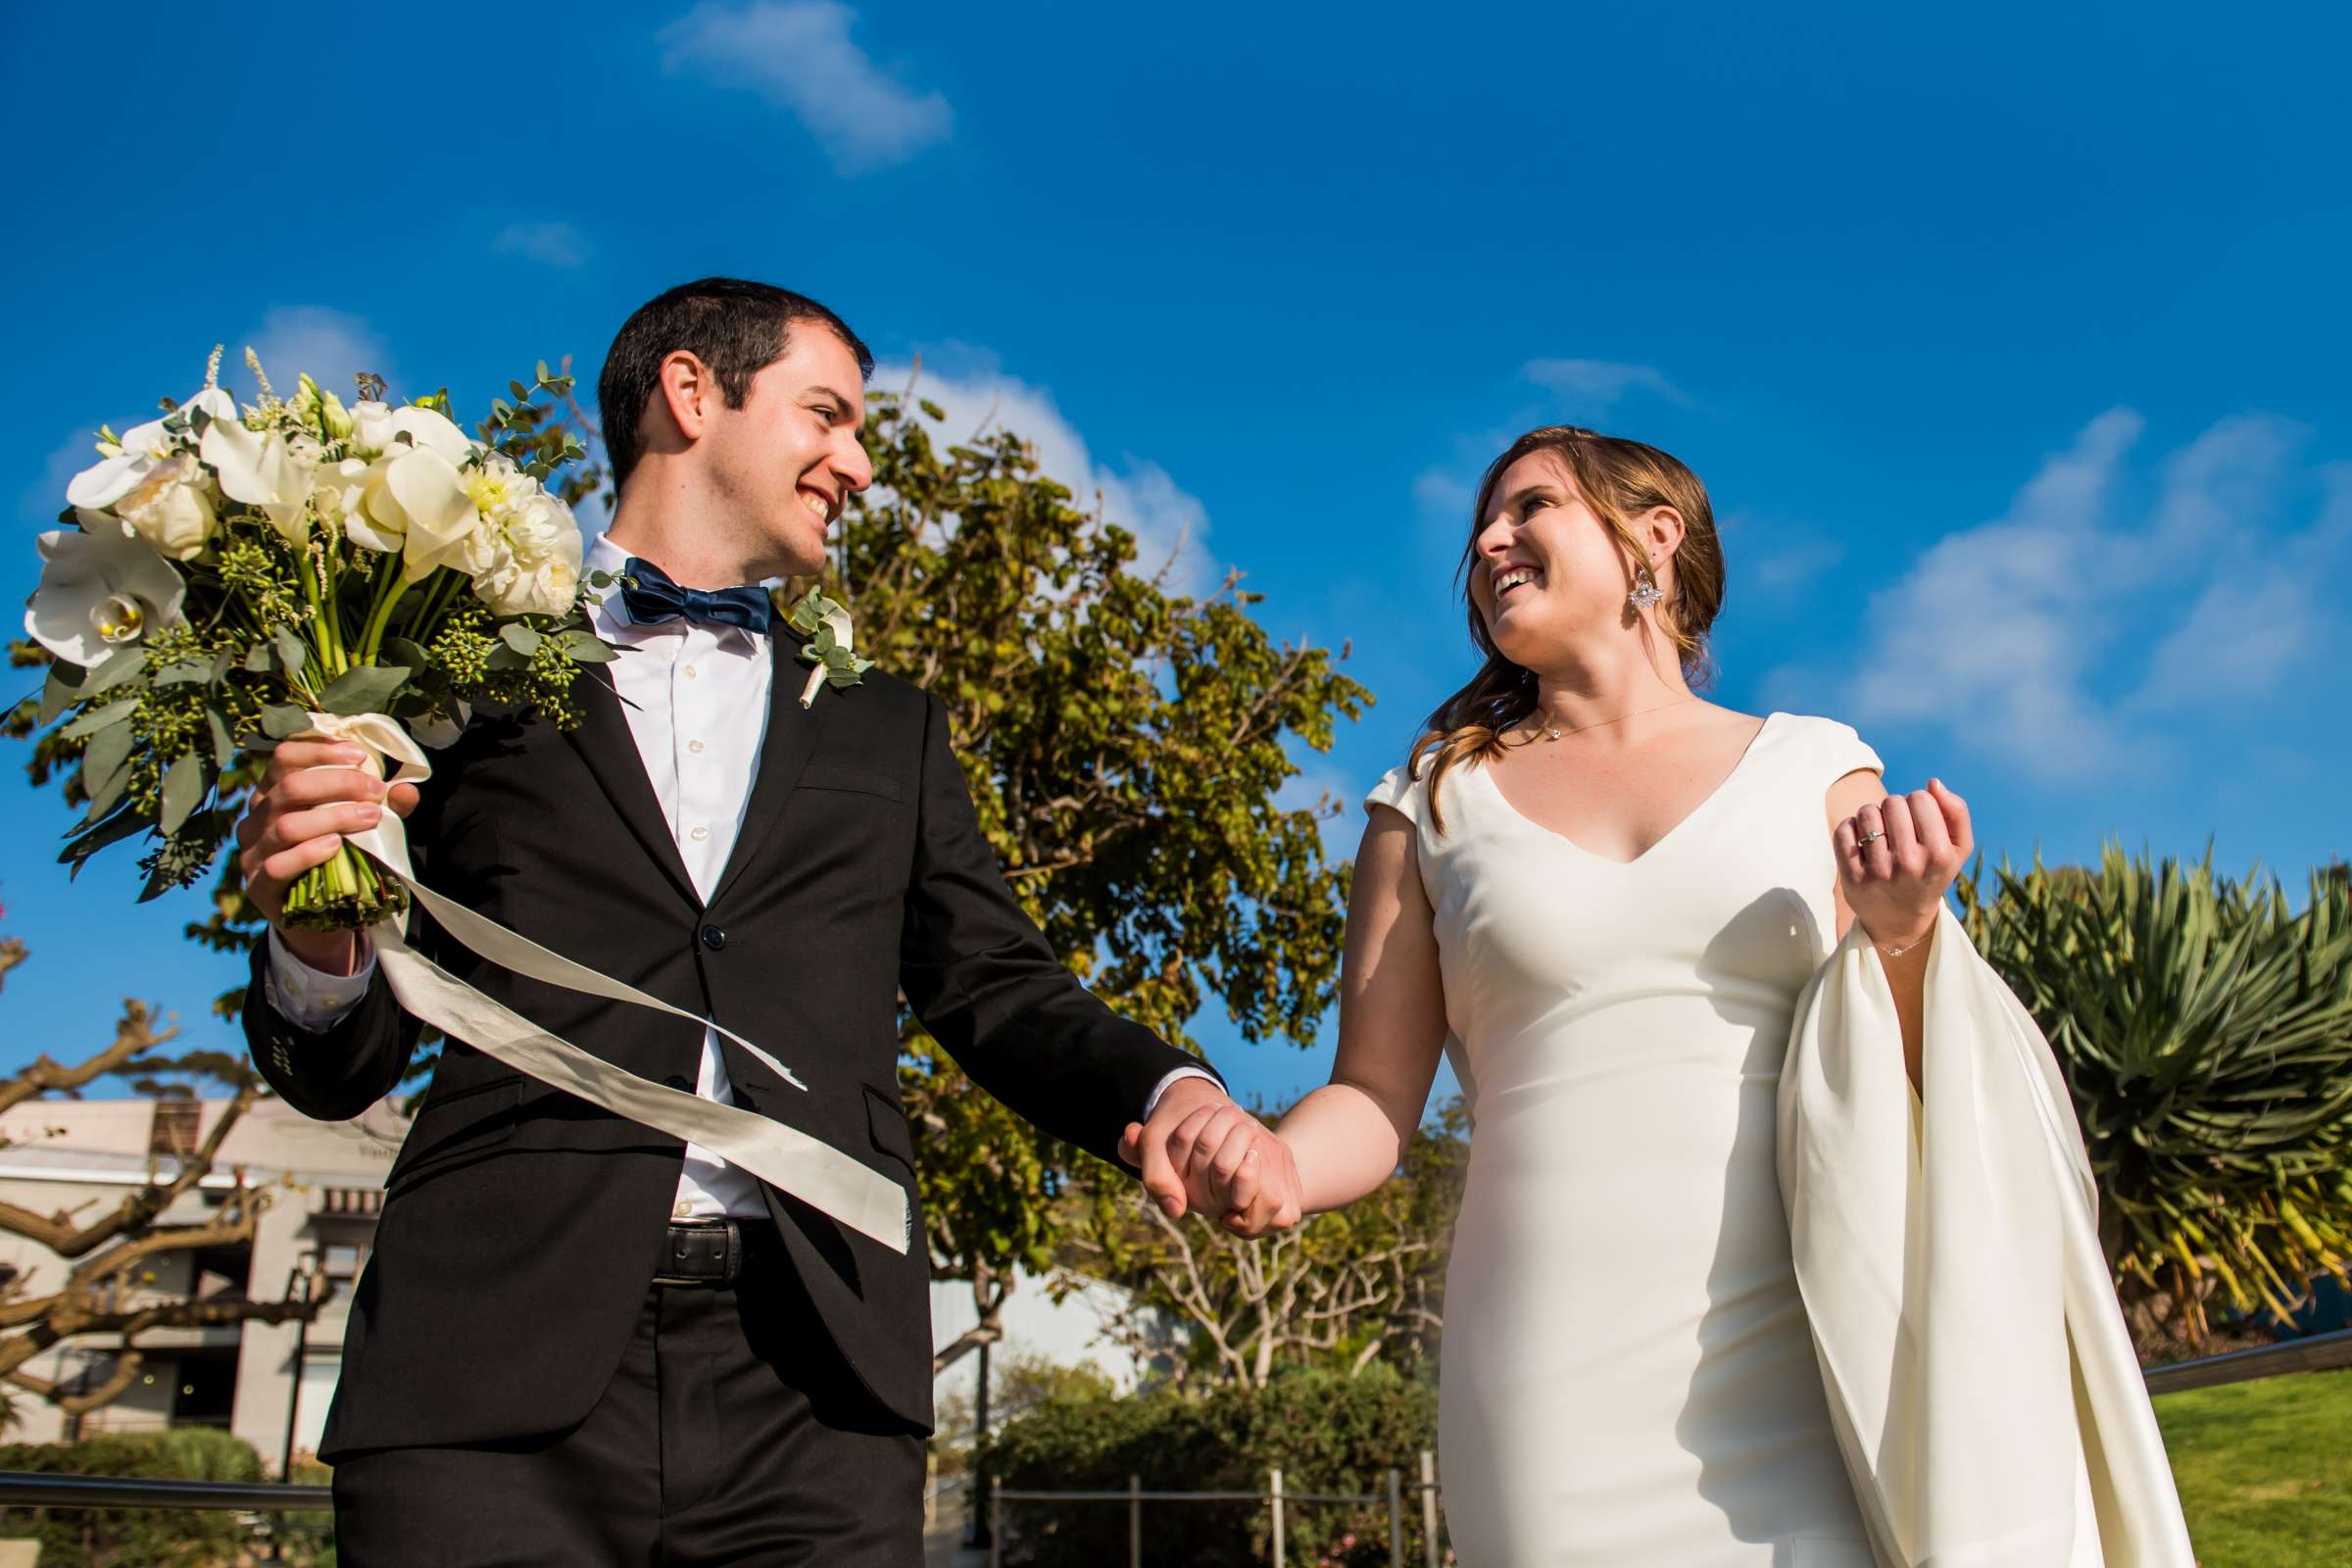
[2057, 631]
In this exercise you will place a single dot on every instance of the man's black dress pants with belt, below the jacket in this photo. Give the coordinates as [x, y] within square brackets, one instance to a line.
[730, 1435]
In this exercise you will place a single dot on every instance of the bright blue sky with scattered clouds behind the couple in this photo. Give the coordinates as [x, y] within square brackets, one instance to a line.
[2010, 342]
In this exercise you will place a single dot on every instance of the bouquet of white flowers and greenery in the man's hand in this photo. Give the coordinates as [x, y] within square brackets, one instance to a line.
[234, 575]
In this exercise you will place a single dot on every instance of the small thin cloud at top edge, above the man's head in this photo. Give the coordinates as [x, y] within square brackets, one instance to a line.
[799, 55]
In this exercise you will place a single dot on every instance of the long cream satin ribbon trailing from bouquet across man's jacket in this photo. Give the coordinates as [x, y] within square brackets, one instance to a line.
[794, 1162]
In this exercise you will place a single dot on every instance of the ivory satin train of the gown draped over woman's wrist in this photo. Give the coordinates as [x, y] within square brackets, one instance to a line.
[1979, 1374]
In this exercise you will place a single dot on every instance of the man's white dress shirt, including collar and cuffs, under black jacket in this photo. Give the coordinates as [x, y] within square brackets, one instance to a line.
[697, 706]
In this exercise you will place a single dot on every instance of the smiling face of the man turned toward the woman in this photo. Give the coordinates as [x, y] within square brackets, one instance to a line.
[789, 460]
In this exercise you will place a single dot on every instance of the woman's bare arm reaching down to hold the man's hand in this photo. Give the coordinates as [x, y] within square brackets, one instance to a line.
[1351, 1134]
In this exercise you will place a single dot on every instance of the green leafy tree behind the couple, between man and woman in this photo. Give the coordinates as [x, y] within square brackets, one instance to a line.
[1125, 749]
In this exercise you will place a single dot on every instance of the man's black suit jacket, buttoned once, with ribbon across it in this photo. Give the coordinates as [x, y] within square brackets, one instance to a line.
[521, 1226]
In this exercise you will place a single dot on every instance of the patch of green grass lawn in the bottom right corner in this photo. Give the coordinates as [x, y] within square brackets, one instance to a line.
[2266, 1470]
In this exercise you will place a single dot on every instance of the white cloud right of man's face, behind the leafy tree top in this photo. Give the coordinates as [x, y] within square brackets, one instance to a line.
[1170, 523]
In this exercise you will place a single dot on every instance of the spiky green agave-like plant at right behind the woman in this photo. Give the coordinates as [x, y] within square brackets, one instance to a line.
[2205, 1028]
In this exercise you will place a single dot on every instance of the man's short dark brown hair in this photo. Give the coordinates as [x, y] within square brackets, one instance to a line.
[733, 326]
